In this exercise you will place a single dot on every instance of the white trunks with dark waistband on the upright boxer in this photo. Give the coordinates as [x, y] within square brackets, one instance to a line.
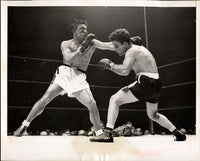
[70, 79]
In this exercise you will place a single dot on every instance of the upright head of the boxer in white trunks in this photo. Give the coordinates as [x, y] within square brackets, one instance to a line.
[79, 29]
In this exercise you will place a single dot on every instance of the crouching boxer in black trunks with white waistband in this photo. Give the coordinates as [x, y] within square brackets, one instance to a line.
[146, 87]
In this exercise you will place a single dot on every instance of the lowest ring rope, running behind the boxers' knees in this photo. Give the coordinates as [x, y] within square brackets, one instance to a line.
[105, 109]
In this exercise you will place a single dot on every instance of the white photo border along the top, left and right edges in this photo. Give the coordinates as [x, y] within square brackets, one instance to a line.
[105, 3]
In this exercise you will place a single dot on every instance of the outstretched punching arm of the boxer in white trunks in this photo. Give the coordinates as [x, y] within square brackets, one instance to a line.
[104, 45]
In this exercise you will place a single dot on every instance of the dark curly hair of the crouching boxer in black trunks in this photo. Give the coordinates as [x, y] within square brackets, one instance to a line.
[120, 35]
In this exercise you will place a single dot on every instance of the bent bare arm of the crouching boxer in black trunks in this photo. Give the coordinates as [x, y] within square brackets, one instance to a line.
[124, 68]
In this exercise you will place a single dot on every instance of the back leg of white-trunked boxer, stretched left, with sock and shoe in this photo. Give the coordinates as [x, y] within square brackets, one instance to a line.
[52, 92]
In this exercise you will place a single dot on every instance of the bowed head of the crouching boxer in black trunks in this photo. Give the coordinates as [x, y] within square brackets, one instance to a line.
[121, 40]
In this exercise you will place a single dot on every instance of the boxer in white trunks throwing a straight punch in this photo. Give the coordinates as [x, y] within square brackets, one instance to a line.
[70, 77]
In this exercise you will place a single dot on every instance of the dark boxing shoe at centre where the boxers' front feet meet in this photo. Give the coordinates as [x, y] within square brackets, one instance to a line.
[104, 137]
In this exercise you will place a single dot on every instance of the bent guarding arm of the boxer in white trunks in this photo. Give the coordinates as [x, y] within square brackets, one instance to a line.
[67, 53]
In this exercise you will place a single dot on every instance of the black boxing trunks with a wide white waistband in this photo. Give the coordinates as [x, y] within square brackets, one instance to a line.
[147, 87]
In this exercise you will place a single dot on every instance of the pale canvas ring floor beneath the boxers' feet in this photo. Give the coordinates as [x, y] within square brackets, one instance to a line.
[79, 148]
